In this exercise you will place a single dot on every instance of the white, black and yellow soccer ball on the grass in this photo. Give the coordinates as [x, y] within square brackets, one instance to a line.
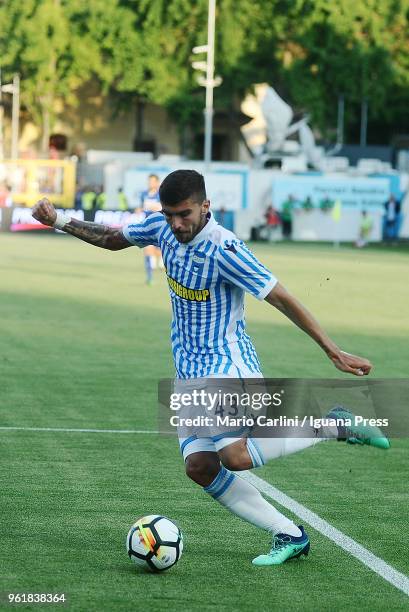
[154, 543]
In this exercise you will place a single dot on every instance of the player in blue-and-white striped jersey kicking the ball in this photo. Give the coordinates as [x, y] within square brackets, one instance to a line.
[209, 270]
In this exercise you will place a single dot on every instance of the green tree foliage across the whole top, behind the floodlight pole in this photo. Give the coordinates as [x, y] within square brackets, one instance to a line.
[310, 50]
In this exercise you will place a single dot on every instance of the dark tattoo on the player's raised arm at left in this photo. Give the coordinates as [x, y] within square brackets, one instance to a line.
[103, 236]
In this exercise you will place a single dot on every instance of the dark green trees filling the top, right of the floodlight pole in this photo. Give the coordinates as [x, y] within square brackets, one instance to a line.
[311, 52]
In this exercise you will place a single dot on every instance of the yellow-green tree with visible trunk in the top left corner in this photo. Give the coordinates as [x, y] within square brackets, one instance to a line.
[59, 46]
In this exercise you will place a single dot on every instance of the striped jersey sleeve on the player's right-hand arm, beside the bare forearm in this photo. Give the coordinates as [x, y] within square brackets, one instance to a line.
[238, 266]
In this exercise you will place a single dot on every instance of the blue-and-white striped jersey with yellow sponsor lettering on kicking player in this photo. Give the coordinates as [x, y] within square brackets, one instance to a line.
[207, 279]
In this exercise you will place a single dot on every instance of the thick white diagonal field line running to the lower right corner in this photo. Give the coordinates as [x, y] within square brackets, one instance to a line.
[377, 565]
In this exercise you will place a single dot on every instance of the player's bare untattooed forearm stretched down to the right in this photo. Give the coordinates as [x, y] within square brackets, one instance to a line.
[300, 316]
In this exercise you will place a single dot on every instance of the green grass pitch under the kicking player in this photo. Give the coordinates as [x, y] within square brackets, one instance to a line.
[84, 342]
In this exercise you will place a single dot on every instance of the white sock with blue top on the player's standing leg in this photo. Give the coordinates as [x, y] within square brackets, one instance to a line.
[244, 500]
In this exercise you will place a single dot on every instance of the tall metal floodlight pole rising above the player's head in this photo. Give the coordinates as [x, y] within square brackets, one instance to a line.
[209, 85]
